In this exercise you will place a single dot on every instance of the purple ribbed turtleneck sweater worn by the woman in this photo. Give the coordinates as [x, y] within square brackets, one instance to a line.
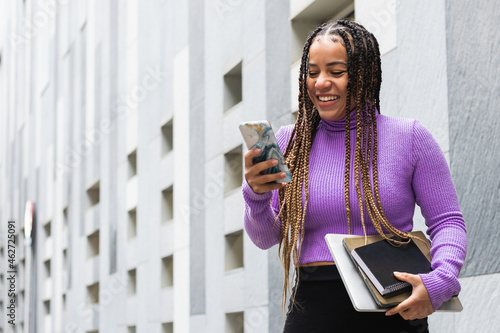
[411, 170]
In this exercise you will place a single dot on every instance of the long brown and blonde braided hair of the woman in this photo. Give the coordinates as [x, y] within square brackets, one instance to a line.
[364, 79]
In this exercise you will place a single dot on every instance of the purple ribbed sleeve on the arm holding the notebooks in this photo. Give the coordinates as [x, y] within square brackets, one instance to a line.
[436, 195]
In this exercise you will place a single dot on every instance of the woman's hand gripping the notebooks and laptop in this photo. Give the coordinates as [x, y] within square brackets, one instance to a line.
[418, 305]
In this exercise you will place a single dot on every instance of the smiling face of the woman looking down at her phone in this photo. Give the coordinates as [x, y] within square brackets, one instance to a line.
[327, 79]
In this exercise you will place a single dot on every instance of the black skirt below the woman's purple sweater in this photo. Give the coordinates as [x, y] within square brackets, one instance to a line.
[323, 305]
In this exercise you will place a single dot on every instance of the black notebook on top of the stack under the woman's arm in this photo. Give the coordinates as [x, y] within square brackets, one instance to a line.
[381, 259]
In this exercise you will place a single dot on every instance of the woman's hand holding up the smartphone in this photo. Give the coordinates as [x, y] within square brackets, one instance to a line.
[261, 183]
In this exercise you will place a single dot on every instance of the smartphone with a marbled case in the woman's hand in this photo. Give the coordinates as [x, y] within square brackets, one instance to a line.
[259, 134]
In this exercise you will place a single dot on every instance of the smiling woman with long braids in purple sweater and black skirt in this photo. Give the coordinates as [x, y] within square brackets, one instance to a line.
[340, 144]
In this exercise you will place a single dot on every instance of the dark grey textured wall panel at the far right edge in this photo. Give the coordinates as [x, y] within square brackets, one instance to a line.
[473, 45]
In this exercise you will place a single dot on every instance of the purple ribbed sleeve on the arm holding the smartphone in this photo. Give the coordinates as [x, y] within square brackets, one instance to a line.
[260, 215]
